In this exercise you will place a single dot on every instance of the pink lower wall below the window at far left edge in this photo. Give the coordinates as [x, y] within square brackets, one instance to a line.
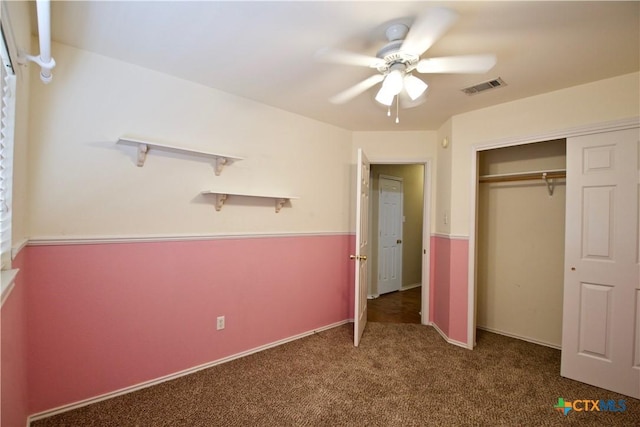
[13, 327]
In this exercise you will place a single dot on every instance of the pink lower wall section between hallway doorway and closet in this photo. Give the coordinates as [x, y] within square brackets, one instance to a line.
[450, 272]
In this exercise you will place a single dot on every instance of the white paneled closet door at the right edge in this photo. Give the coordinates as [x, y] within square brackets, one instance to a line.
[601, 304]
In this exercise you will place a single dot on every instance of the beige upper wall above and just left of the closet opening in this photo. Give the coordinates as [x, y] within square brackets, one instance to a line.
[589, 104]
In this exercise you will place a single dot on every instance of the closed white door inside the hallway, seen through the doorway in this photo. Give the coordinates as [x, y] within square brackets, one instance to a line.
[389, 234]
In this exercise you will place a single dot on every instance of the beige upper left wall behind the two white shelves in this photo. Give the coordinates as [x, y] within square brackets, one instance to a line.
[82, 184]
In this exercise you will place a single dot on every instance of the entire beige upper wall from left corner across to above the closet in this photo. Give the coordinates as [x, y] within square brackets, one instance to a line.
[81, 184]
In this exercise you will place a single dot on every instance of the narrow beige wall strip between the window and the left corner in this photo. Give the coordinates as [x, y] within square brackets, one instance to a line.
[17, 20]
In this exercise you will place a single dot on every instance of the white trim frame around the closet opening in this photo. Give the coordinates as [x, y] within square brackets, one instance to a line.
[473, 203]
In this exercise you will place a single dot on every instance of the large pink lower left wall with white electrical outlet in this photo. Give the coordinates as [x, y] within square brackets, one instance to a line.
[103, 317]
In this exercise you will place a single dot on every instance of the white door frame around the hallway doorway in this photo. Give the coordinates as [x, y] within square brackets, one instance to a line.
[426, 226]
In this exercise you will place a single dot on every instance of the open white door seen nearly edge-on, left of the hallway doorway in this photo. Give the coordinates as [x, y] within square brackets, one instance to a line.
[362, 247]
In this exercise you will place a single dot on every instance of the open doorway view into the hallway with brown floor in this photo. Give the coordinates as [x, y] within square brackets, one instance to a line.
[397, 234]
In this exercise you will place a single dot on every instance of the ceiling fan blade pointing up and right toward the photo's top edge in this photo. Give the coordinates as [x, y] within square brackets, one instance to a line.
[427, 29]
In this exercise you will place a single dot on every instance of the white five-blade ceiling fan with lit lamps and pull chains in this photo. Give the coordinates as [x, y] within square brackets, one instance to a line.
[396, 60]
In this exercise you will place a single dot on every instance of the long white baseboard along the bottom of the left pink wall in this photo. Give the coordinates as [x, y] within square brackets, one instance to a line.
[150, 383]
